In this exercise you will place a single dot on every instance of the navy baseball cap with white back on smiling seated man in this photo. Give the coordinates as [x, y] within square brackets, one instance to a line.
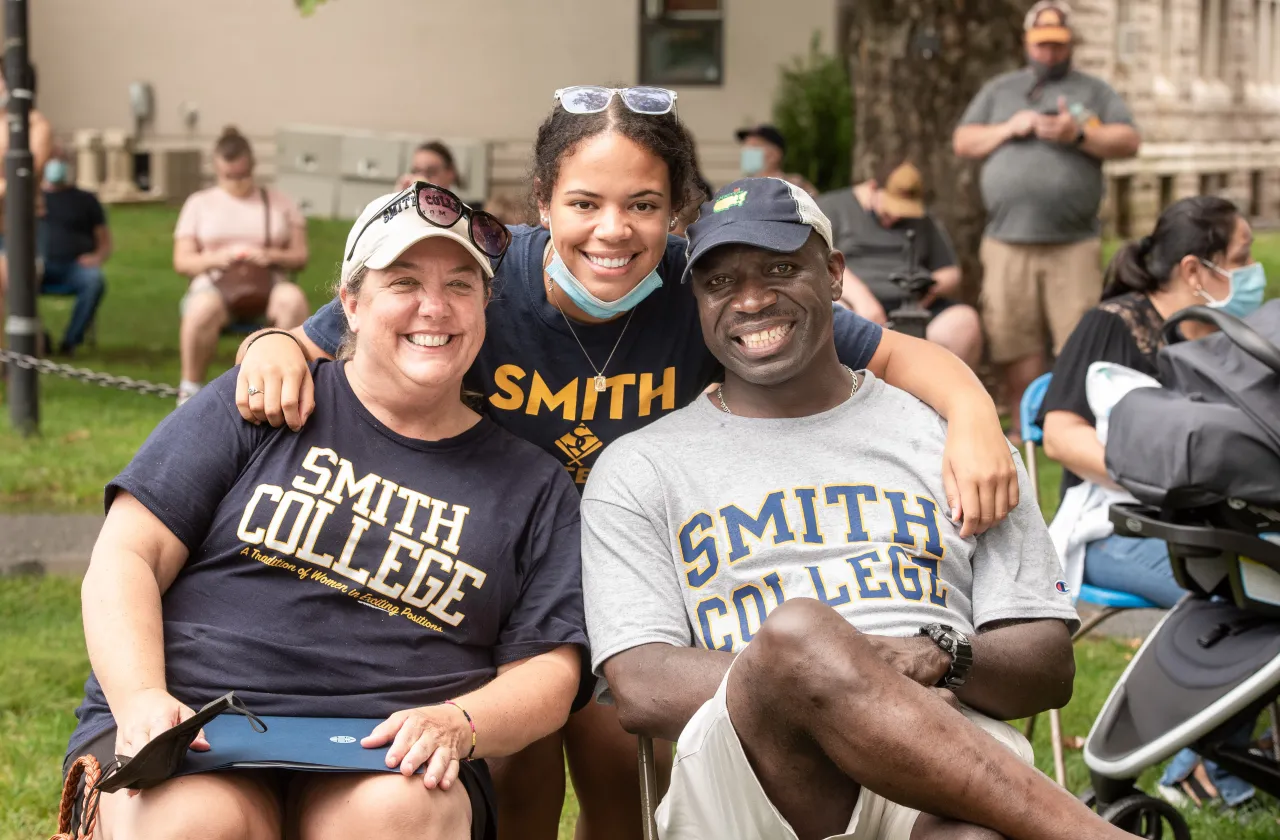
[769, 213]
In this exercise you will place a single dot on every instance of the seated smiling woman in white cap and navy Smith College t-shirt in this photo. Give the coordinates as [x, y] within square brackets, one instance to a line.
[401, 559]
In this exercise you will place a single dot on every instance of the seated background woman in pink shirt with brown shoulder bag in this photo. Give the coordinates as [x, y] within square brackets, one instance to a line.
[235, 221]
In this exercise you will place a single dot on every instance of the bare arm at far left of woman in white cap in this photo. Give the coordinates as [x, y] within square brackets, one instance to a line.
[135, 561]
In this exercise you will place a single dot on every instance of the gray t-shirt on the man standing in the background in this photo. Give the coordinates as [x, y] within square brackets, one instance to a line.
[1043, 193]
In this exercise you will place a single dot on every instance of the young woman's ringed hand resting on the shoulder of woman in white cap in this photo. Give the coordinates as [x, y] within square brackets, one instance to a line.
[276, 367]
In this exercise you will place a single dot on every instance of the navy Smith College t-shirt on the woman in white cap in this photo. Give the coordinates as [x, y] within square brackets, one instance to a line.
[346, 570]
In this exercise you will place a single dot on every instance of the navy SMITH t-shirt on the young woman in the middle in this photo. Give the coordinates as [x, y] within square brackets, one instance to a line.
[538, 382]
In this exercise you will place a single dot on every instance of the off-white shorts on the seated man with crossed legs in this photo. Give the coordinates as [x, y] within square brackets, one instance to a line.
[716, 796]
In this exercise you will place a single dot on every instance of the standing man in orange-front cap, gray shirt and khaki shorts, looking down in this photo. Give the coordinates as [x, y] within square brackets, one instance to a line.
[1044, 133]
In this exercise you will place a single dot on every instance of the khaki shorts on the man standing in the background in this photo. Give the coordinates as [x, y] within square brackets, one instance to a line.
[1027, 289]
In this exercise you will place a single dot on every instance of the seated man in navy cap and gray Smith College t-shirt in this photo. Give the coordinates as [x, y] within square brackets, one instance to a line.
[772, 579]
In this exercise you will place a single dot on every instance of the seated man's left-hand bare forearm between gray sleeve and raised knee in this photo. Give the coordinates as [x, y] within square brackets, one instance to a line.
[659, 687]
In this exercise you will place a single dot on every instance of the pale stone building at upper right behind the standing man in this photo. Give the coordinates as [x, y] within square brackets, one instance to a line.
[1204, 81]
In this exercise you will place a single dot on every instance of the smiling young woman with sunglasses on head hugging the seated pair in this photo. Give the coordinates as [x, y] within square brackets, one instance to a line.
[591, 336]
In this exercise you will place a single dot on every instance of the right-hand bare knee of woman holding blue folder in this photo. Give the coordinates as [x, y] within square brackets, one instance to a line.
[383, 806]
